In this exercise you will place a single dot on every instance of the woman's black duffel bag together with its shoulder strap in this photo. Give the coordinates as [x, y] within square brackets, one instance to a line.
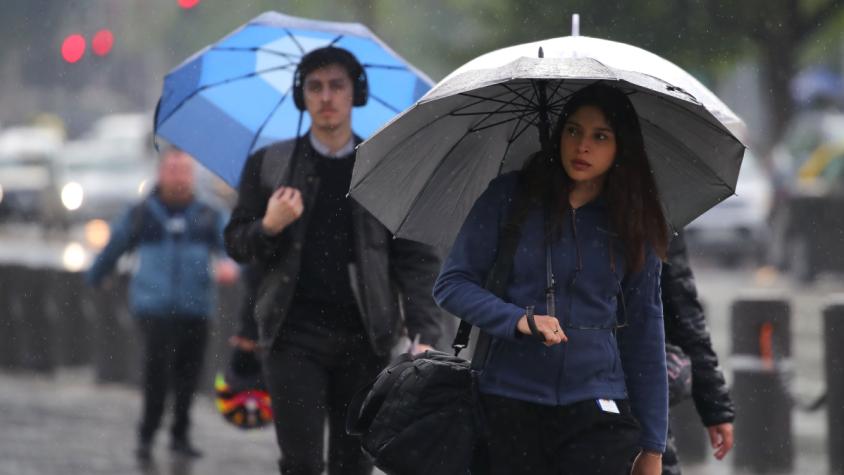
[422, 415]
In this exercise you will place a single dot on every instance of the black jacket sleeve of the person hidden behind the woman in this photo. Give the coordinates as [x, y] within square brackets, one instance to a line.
[685, 326]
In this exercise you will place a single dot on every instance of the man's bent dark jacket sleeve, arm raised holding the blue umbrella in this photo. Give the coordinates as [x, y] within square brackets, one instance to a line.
[245, 240]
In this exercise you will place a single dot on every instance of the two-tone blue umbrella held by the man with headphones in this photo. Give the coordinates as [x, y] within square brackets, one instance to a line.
[234, 97]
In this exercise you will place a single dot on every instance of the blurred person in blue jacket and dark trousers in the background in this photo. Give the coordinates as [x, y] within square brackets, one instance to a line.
[171, 293]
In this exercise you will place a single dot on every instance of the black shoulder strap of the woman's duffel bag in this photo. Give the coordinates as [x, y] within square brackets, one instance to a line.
[496, 282]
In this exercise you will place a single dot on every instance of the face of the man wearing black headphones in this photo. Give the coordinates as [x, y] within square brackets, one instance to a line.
[328, 96]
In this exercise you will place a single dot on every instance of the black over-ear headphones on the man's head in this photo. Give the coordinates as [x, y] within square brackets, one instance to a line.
[322, 57]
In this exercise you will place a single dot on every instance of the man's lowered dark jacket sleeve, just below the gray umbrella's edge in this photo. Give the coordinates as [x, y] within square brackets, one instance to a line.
[414, 267]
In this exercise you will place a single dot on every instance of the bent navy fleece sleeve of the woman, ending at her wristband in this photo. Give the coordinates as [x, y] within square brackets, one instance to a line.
[460, 286]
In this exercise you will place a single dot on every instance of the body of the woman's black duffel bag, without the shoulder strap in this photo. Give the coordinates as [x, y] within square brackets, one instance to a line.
[419, 416]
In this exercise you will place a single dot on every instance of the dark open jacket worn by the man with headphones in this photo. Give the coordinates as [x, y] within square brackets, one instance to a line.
[392, 278]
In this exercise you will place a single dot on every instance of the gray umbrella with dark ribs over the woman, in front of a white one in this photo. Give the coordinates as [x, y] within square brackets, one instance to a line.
[422, 172]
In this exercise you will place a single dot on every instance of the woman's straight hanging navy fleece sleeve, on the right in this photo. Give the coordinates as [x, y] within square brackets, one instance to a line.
[642, 347]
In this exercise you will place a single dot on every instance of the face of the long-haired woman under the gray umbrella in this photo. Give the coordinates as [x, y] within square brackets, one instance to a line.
[587, 145]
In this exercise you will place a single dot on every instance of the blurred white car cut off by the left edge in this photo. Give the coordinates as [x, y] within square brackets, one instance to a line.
[25, 171]
